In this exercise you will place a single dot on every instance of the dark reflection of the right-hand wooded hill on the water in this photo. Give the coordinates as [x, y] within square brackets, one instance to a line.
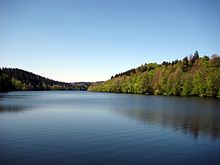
[194, 116]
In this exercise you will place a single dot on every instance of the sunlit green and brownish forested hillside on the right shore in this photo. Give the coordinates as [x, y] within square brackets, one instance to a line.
[191, 76]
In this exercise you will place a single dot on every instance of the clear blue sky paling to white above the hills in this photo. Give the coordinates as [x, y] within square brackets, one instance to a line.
[91, 40]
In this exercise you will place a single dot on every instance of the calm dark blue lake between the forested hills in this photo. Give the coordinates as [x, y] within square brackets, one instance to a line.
[73, 127]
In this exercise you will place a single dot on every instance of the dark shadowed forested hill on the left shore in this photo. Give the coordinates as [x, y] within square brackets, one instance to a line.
[17, 79]
